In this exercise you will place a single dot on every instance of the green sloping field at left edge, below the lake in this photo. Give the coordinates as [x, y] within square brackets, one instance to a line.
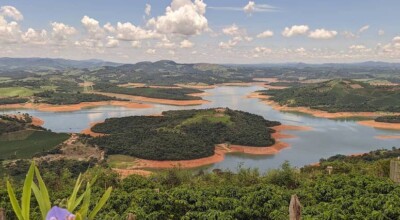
[24, 145]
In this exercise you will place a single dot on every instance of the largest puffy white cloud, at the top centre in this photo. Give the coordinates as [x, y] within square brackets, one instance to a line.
[182, 17]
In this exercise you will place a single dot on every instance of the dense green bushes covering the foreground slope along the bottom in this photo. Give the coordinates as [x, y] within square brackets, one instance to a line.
[359, 188]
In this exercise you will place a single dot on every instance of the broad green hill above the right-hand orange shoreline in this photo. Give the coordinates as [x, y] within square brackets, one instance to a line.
[340, 96]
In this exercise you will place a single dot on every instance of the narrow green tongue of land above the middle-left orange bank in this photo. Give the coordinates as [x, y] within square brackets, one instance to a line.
[160, 93]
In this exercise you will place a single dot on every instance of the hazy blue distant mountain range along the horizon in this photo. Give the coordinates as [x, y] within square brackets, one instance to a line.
[7, 63]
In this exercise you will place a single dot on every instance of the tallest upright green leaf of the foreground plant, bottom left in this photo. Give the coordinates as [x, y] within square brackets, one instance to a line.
[27, 192]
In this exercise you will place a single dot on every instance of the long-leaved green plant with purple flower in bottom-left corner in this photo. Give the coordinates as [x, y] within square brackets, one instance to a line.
[22, 209]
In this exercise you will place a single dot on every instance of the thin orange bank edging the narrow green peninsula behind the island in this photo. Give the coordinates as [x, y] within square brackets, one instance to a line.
[154, 100]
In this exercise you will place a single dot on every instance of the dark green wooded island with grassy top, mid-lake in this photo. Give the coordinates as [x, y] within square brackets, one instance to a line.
[182, 135]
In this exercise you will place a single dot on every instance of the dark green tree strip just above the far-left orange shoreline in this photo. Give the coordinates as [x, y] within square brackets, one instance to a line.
[57, 98]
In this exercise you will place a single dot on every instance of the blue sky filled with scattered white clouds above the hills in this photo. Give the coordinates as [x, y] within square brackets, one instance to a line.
[193, 31]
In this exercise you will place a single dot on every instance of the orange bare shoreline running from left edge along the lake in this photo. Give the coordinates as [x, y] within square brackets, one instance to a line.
[74, 107]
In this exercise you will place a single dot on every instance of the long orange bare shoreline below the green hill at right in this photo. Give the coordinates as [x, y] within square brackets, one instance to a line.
[314, 112]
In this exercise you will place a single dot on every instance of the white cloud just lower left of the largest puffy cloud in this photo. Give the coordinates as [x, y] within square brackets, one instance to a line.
[129, 32]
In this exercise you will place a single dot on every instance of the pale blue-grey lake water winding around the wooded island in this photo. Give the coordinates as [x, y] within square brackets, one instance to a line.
[327, 137]
